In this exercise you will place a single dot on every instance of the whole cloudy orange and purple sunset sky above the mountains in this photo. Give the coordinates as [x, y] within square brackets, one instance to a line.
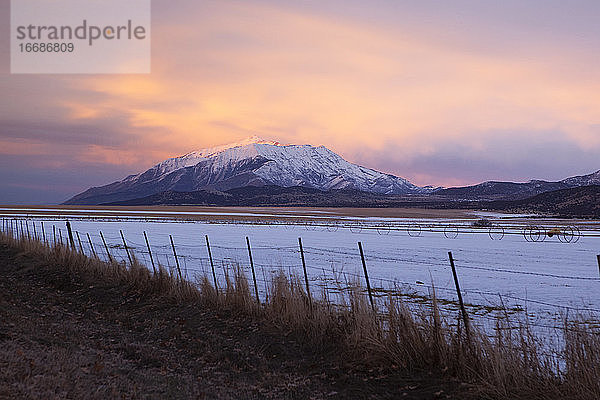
[440, 92]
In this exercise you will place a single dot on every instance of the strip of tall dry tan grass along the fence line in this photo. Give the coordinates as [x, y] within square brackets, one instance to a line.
[511, 365]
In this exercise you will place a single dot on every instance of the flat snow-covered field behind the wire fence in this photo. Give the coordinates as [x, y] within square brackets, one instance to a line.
[503, 264]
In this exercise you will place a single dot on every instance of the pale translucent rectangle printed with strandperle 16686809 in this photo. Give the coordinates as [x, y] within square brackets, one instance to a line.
[80, 36]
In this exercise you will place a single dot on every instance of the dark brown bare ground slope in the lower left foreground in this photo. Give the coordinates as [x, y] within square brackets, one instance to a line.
[67, 335]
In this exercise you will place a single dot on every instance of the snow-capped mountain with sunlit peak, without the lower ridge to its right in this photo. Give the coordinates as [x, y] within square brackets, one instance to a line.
[252, 162]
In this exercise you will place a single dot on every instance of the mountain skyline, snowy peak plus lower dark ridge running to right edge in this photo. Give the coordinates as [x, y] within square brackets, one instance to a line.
[258, 162]
